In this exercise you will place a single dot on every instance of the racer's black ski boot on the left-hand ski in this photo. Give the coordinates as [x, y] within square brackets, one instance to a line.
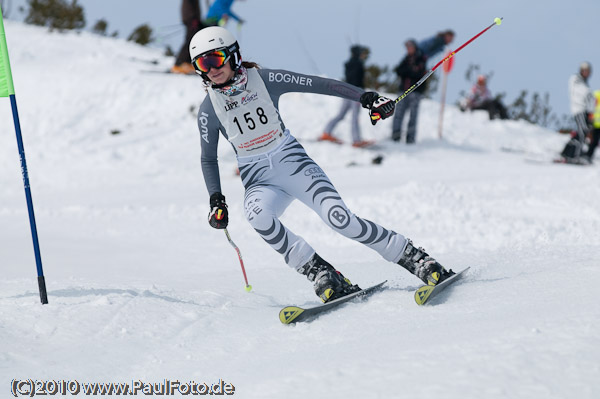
[329, 283]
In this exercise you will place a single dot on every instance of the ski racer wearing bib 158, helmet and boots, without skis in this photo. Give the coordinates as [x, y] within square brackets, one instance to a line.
[242, 103]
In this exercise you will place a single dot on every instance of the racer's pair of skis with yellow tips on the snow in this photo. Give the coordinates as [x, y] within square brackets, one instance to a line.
[295, 314]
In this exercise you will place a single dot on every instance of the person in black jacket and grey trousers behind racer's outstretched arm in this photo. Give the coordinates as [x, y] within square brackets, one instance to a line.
[355, 75]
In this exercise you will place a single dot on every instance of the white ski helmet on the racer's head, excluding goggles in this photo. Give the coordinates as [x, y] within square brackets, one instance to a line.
[211, 39]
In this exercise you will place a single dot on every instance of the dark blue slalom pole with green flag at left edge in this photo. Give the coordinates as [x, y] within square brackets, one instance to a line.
[7, 90]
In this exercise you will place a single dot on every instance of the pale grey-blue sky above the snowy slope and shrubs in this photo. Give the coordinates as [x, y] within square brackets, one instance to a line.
[537, 47]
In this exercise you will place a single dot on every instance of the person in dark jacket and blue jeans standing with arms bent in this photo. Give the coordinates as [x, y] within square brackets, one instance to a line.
[411, 69]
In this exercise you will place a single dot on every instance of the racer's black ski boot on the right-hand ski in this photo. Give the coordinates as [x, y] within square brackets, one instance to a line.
[419, 263]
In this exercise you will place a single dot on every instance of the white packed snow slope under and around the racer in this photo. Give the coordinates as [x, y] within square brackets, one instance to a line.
[141, 288]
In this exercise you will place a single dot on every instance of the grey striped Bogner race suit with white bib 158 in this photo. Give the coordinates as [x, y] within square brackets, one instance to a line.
[274, 167]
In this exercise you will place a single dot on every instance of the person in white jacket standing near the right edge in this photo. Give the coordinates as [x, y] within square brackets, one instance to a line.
[582, 104]
